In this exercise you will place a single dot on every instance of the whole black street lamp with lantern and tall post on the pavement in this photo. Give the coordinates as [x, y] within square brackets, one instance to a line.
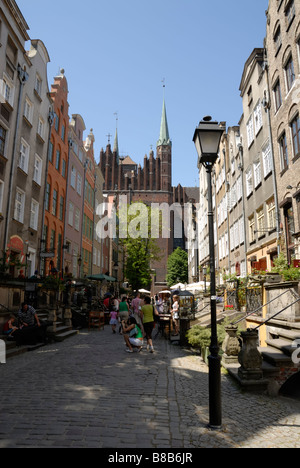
[207, 139]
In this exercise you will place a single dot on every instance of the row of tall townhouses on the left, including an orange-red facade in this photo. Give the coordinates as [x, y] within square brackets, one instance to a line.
[50, 185]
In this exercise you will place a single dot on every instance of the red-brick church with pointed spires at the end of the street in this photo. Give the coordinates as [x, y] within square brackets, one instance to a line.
[149, 184]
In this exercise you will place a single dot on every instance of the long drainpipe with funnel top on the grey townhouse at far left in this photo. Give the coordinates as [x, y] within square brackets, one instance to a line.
[23, 77]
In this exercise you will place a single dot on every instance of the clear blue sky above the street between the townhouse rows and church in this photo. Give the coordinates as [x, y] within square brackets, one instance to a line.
[117, 52]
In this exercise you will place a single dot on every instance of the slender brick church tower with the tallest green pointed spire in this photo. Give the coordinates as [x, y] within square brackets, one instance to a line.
[164, 152]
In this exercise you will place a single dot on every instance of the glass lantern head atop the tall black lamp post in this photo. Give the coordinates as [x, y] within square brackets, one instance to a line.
[207, 139]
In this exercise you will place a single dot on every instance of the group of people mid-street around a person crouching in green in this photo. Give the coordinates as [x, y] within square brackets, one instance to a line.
[136, 320]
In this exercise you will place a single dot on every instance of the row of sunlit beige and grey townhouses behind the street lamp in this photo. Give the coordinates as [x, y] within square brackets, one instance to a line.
[257, 176]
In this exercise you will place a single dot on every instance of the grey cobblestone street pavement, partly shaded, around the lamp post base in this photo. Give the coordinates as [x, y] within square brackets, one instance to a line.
[88, 392]
